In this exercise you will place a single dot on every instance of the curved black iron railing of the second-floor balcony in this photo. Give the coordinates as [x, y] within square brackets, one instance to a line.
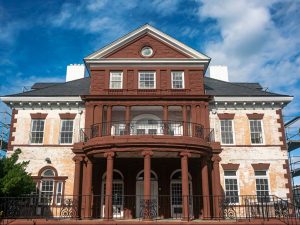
[147, 127]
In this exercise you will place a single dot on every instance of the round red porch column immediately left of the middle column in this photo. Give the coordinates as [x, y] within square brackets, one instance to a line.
[108, 214]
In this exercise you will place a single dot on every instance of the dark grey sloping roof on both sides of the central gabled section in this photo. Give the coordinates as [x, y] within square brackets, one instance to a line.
[212, 86]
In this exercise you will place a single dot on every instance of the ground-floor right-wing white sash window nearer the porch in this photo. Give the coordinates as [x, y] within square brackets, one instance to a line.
[231, 186]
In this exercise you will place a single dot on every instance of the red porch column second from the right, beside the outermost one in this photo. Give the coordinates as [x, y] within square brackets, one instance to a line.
[205, 189]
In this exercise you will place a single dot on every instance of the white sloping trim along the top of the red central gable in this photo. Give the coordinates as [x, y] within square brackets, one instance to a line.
[141, 31]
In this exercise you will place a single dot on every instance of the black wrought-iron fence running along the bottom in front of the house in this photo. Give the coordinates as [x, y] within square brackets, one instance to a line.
[160, 207]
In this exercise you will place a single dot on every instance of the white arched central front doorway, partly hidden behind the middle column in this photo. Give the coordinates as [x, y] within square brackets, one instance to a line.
[140, 193]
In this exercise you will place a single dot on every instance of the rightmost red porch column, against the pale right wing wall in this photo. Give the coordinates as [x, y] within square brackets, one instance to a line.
[217, 194]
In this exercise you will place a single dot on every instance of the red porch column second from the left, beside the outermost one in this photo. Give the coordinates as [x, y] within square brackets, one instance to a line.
[87, 195]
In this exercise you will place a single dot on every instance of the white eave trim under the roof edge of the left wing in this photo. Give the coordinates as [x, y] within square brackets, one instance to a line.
[40, 99]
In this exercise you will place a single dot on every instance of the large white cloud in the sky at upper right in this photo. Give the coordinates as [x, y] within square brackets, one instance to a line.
[259, 42]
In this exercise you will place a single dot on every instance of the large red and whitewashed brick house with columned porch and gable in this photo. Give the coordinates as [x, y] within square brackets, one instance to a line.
[148, 135]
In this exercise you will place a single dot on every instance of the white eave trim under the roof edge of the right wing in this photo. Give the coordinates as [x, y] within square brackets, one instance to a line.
[254, 99]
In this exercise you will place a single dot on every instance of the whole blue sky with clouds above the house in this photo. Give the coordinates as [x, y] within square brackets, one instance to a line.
[258, 40]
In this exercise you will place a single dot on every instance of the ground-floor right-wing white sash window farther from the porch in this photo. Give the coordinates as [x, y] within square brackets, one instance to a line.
[262, 186]
